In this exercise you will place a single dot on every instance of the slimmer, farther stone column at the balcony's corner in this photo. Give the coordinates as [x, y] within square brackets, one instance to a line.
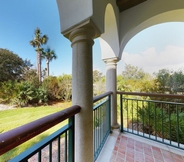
[111, 86]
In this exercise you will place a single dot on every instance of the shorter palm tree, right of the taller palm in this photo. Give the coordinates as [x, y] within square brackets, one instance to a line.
[49, 55]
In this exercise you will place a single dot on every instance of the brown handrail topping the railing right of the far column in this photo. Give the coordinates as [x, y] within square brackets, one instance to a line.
[152, 95]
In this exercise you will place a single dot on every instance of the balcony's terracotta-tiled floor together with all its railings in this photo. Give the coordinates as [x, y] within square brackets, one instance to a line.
[151, 129]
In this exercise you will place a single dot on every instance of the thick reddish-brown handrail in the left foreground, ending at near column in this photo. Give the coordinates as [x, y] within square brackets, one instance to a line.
[19, 135]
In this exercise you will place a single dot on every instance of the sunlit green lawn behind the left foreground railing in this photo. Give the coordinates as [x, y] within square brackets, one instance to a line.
[10, 119]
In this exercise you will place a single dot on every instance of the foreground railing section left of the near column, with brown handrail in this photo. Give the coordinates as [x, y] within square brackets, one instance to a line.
[65, 150]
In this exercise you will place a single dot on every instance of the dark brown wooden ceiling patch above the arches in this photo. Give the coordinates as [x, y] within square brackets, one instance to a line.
[126, 4]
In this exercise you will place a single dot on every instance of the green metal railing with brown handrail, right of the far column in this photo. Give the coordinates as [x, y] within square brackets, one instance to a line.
[159, 117]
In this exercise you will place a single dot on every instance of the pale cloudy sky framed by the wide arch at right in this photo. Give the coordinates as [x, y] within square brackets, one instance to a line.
[154, 48]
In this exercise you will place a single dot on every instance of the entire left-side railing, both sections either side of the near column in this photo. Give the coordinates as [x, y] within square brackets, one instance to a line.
[59, 146]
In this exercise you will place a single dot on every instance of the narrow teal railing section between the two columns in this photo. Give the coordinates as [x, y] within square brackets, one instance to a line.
[101, 121]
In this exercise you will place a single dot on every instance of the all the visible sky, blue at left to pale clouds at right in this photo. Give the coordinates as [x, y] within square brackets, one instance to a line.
[161, 46]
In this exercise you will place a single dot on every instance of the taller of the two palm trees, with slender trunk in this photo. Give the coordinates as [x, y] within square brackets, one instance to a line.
[36, 43]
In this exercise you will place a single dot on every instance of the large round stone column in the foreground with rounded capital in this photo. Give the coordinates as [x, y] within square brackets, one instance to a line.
[82, 92]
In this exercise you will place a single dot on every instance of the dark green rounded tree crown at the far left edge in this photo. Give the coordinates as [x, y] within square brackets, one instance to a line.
[11, 66]
